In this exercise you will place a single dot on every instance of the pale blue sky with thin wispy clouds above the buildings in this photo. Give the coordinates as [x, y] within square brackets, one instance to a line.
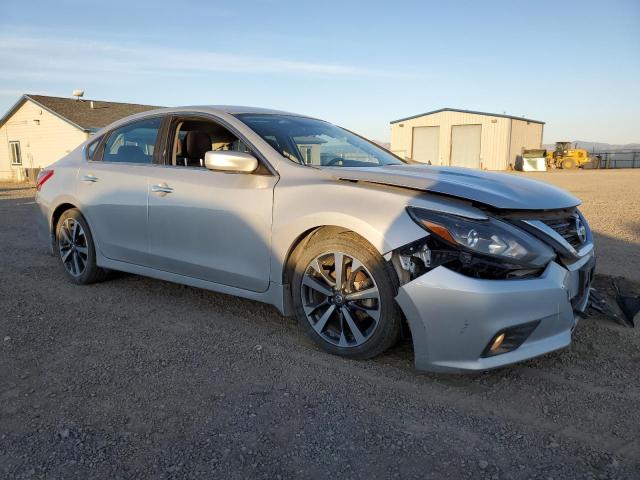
[361, 64]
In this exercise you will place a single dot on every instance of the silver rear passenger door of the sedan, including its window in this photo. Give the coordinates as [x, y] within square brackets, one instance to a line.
[113, 190]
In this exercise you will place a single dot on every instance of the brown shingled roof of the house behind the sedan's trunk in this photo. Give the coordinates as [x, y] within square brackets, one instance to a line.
[79, 112]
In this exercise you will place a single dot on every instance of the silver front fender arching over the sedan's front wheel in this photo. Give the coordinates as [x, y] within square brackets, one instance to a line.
[379, 214]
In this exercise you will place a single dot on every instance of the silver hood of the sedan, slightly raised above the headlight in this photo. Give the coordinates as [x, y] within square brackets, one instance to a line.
[498, 190]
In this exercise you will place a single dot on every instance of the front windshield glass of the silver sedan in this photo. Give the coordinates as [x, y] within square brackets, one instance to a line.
[314, 142]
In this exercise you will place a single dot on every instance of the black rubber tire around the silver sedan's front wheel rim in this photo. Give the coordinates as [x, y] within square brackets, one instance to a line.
[387, 330]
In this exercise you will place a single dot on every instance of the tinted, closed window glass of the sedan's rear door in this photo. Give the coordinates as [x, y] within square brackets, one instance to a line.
[133, 143]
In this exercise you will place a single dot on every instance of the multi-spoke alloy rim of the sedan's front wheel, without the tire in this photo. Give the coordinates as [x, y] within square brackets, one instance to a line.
[340, 299]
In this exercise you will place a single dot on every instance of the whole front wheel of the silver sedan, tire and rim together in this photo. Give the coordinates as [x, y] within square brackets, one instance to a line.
[343, 294]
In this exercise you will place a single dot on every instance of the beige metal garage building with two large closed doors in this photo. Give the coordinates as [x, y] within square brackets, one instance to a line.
[465, 138]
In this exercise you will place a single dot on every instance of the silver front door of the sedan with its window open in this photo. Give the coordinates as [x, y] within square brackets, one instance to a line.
[209, 225]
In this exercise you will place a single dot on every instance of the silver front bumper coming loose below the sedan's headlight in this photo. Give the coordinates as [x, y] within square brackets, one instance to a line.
[453, 317]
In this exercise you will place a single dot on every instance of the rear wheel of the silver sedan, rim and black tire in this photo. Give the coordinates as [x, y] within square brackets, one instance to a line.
[90, 272]
